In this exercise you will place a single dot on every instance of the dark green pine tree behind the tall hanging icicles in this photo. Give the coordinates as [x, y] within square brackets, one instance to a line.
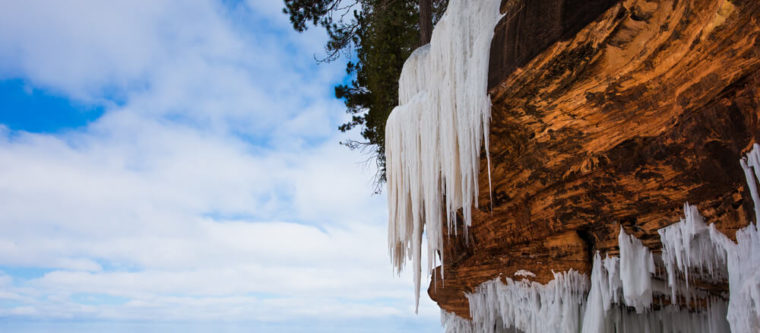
[377, 36]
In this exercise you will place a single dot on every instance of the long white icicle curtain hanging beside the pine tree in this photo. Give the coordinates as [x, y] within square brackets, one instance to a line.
[433, 138]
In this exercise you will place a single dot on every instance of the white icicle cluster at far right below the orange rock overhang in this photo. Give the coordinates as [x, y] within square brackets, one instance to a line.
[691, 247]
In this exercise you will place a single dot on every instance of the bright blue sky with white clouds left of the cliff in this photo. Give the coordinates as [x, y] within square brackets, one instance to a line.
[174, 165]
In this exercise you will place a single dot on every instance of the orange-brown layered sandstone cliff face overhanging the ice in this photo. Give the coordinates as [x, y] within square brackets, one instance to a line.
[608, 114]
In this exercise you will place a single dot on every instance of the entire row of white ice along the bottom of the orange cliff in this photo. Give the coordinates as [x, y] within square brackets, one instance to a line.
[621, 289]
